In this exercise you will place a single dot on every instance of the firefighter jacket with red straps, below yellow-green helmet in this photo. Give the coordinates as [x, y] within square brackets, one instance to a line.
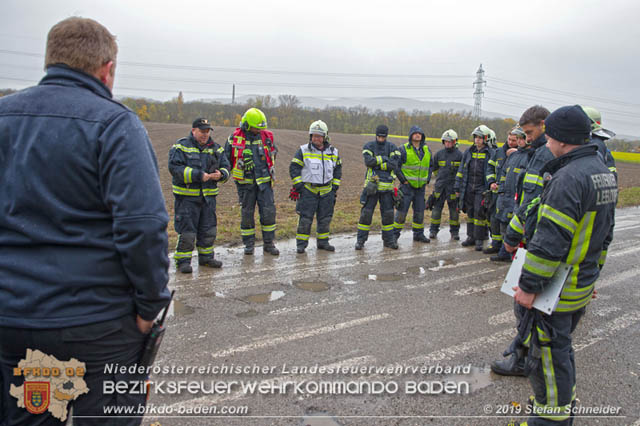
[263, 152]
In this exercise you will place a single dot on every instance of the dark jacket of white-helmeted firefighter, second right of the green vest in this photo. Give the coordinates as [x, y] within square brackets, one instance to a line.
[473, 171]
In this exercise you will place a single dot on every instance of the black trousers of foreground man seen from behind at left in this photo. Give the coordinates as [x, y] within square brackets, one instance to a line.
[111, 342]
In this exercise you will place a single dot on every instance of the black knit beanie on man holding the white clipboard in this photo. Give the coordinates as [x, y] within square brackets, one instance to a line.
[568, 124]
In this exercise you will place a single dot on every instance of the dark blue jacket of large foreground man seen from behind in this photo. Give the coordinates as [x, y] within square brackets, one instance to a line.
[82, 218]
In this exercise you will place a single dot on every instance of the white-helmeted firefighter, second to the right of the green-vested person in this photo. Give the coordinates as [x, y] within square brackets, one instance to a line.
[471, 185]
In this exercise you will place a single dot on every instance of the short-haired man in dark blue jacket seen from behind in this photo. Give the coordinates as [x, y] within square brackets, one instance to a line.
[83, 256]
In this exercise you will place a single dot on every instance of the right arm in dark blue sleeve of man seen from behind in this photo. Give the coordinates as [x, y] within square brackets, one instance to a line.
[131, 190]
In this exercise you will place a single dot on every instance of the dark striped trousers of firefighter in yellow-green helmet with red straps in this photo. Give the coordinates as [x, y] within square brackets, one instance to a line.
[250, 195]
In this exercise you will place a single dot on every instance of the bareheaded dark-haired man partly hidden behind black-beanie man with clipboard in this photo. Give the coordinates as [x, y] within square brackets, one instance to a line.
[532, 124]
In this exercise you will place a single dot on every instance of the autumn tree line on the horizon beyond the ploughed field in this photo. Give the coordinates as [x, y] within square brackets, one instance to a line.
[286, 112]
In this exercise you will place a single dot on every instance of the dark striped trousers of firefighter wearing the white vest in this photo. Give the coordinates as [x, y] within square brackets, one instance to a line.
[308, 205]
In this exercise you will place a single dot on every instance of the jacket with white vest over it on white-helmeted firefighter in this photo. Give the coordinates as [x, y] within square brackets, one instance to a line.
[319, 170]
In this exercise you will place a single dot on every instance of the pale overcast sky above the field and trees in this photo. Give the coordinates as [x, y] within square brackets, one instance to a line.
[549, 52]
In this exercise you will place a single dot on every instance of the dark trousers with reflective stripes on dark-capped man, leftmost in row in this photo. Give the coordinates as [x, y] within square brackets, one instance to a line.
[196, 224]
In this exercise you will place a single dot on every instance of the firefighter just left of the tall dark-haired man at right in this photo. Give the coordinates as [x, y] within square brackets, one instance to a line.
[509, 190]
